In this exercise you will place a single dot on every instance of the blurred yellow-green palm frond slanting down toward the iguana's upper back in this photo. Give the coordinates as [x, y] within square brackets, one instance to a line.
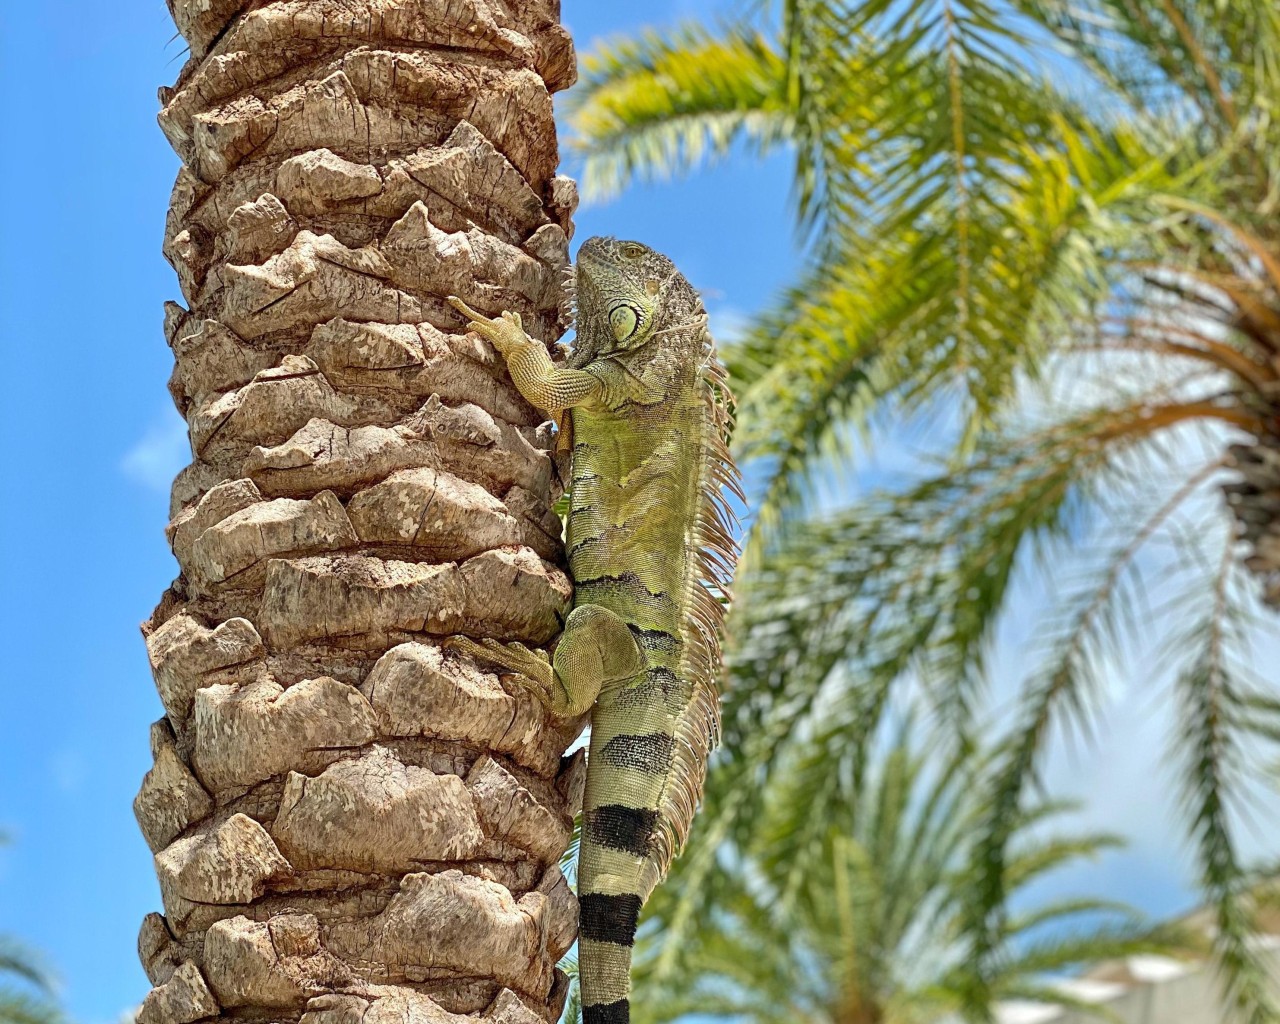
[880, 331]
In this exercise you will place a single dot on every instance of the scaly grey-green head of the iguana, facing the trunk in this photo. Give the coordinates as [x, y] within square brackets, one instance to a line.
[625, 294]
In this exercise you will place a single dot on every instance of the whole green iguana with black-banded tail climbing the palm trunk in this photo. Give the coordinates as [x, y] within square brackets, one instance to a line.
[652, 552]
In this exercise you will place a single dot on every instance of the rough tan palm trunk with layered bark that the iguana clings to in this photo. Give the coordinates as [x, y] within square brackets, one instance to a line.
[349, 820]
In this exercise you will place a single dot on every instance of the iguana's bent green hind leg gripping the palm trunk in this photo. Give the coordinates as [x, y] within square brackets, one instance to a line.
[597, 650]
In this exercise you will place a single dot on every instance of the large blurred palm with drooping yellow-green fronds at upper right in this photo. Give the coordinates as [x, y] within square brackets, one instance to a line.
[1046, 231]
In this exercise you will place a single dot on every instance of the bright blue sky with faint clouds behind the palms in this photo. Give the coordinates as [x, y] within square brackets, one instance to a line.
[92, 442]
